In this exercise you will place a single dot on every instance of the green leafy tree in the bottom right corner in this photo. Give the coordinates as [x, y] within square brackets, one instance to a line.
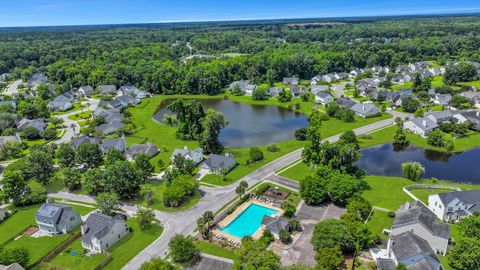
[465, 255]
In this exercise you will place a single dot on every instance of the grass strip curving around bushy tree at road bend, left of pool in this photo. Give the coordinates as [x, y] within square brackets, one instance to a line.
[158, 189]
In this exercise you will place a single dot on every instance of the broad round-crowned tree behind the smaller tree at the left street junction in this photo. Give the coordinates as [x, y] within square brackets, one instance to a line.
[122, 178]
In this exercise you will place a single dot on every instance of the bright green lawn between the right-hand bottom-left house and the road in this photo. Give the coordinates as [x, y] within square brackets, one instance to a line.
[132, 244]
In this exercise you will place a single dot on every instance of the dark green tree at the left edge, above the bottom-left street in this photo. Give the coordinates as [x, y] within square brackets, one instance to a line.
[14, 187]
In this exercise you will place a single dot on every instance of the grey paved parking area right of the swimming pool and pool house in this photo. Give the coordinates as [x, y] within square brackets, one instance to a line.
[302, 252]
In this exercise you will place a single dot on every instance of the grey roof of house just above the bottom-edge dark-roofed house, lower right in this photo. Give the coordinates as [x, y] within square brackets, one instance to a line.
[417, 212]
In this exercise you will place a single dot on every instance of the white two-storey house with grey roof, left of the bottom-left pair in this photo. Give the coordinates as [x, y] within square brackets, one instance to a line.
[54, 218]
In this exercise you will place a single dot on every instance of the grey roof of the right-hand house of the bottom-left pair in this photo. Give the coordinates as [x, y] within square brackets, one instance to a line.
[98, 225]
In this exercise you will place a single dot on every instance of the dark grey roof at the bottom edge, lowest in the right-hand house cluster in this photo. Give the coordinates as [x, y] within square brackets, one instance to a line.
[414, 252]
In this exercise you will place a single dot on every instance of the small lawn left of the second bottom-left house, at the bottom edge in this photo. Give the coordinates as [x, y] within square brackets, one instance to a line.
[66, 260]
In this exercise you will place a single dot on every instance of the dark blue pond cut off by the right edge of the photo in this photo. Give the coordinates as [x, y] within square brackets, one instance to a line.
[387, 160]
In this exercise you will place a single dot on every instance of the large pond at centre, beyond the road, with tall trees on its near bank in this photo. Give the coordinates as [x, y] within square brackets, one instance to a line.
[250, 125]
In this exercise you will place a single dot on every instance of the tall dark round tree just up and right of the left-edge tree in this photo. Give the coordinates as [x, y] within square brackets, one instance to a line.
[40, 166]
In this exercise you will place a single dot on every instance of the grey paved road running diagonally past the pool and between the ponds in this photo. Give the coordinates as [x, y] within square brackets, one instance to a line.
[212, 199]
